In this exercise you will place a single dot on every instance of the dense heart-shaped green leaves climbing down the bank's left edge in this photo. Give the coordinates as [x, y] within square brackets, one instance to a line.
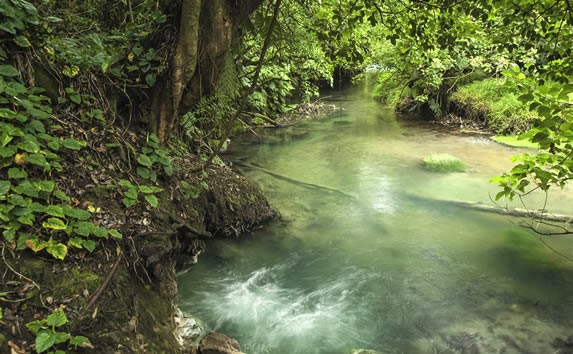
[34, 213]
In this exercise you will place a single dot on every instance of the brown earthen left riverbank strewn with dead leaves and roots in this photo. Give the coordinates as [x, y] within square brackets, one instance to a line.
[120, 295]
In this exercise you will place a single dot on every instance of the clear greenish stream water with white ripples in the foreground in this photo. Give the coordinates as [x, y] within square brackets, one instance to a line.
[384, 271]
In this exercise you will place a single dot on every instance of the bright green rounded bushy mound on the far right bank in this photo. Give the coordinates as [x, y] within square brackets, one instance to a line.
[492, 102]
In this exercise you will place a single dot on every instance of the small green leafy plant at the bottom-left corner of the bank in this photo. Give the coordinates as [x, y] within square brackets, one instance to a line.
[48, 335]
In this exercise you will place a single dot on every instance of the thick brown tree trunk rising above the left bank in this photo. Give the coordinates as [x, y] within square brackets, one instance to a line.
[206, 31]
